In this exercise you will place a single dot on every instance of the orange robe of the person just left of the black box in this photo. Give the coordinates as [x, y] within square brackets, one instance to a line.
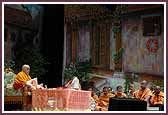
[104, 102]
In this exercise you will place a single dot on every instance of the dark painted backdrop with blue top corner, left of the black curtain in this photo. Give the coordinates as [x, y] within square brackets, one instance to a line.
[22, 40]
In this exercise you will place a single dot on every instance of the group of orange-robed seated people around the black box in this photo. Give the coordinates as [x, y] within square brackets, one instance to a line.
[153, 98]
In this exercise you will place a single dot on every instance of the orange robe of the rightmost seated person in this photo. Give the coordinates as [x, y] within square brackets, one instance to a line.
[157, 99]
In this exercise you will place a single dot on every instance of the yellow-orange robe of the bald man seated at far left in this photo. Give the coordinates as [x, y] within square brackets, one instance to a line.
[21, 79]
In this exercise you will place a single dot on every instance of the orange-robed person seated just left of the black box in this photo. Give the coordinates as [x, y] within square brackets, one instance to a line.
[104, 100]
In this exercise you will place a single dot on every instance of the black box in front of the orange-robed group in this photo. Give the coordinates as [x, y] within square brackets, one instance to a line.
[127, 104]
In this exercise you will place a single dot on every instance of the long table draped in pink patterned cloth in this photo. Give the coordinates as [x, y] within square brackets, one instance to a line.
[60, 100]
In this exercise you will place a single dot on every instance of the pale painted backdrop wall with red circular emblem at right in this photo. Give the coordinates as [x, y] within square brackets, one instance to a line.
[142, 54]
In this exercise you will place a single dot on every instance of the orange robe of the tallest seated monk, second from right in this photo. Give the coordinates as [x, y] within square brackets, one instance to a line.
[142, 94]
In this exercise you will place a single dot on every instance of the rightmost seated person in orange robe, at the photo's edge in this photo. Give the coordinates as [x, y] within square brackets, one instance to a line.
[157, 98]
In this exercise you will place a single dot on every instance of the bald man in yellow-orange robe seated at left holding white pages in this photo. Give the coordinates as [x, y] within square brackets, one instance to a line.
[23, 79]
